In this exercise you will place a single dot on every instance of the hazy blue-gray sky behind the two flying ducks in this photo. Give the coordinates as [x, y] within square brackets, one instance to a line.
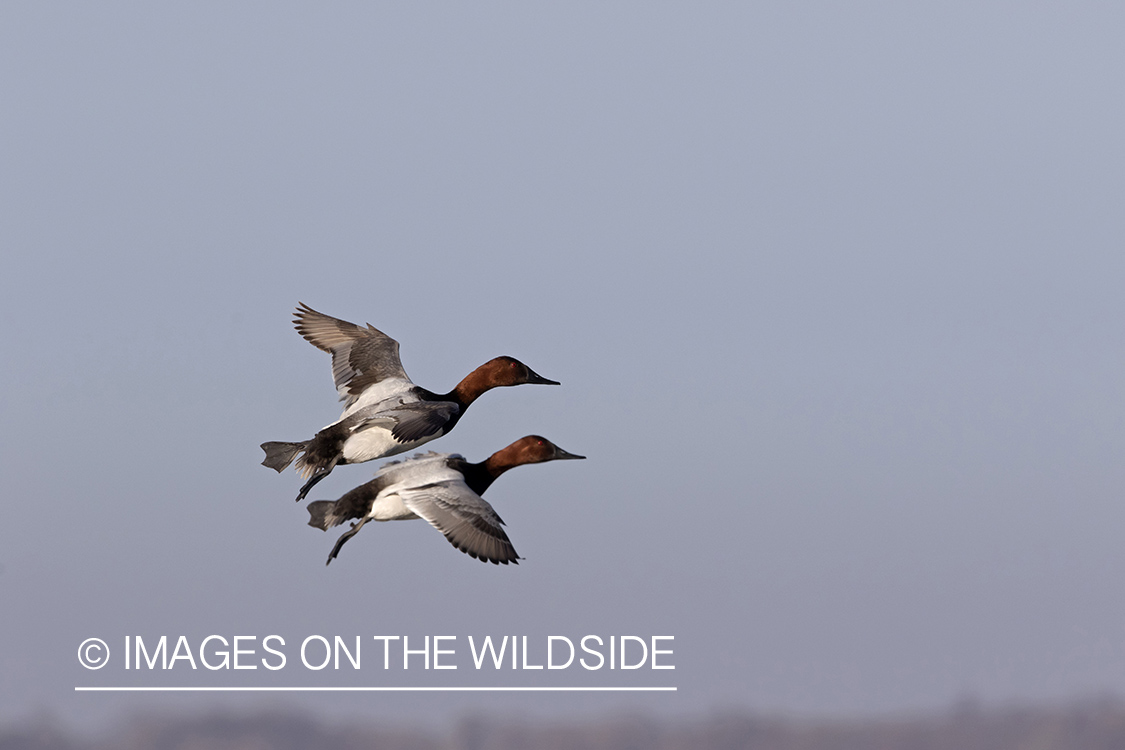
[834, 292]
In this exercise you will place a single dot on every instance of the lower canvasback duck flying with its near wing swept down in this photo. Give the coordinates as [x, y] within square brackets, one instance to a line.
[444, 490]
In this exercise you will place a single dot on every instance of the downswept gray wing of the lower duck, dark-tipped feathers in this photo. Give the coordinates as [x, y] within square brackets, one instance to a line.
[466, 520]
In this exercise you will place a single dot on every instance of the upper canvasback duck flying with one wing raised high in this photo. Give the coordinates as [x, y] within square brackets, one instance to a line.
[385, 413]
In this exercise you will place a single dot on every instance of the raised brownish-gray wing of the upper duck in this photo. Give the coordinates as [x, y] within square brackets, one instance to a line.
[361, 357]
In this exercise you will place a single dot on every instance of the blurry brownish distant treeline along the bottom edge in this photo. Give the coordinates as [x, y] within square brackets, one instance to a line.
[1097, 726]
